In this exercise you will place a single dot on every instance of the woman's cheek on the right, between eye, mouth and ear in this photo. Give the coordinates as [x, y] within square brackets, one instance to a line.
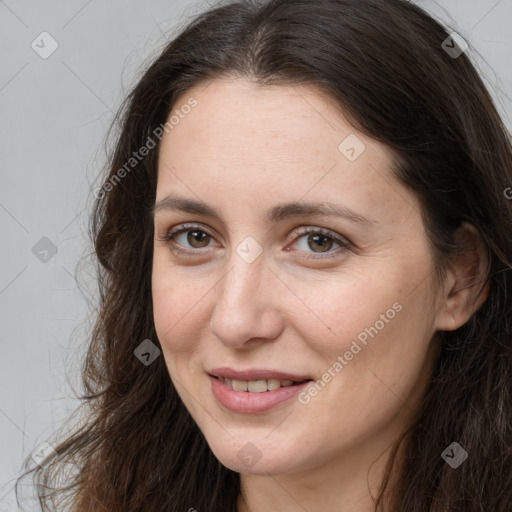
[379, 329]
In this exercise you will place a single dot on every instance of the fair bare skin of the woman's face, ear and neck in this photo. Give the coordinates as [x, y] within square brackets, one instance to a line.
[244, 149]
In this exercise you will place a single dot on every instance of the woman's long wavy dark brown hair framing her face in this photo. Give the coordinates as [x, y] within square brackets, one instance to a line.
[386, 64]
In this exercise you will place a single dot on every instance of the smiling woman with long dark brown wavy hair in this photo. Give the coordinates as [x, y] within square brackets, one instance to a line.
[234, 366]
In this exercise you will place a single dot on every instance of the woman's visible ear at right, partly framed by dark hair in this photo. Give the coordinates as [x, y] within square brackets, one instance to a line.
[462, 293]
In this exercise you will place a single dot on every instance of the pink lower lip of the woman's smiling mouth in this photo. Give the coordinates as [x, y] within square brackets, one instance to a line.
[249, 402]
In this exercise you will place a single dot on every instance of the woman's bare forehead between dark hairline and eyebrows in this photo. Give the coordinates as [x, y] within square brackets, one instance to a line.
[252, 143]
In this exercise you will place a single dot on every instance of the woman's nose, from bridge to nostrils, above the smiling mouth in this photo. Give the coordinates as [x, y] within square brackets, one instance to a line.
[247, 305]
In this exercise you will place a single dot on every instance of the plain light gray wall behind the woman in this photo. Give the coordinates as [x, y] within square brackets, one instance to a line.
[54, 116]
